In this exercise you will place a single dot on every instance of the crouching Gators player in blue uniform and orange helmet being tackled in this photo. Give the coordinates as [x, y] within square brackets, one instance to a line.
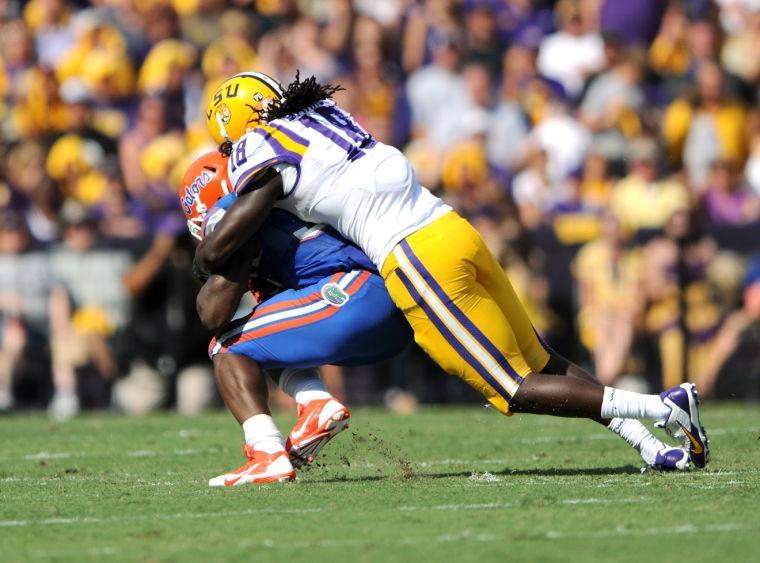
[323, 302]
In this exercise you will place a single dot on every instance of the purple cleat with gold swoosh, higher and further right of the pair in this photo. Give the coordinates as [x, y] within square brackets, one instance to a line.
[683, 422]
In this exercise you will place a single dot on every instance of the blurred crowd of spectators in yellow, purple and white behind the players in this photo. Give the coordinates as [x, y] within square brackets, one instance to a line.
[608, 151]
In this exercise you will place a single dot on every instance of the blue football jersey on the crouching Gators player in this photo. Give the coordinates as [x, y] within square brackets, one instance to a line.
[294, 253]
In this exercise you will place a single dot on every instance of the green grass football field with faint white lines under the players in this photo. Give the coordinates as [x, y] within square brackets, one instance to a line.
[444, 484]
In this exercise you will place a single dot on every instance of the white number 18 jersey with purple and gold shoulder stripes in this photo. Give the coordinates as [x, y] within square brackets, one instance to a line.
[334, 172]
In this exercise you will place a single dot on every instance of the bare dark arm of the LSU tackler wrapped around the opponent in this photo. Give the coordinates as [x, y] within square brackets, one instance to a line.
[241, 221]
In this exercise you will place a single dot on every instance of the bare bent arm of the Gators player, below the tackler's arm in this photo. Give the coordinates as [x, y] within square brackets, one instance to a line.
[220, 296]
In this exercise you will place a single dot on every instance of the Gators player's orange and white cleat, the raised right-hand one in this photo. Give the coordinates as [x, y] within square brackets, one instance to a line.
[318, 422]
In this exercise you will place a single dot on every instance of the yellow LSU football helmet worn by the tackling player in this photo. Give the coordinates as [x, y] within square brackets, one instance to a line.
[240, 104]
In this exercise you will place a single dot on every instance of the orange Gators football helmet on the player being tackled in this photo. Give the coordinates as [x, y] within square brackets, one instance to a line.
[204, 183]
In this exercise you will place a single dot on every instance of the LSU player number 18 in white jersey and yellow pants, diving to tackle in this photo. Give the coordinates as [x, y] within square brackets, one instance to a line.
[295, 149]
